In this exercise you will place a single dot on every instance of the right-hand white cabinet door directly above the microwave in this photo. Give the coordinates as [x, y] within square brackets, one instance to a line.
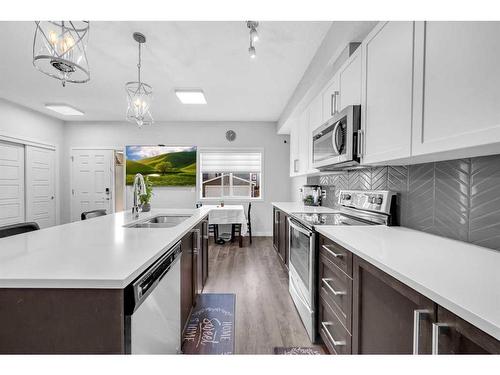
[349, 78]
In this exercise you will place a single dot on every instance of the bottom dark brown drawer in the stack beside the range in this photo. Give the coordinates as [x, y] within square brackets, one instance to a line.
[331, 330]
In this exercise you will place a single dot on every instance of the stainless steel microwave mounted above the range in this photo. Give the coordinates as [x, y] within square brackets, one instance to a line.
[337, 143]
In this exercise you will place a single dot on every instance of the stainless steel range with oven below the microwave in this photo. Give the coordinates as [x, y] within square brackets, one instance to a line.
[356, 208]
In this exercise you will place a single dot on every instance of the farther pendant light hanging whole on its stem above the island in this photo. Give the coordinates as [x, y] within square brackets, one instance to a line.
[139, 94]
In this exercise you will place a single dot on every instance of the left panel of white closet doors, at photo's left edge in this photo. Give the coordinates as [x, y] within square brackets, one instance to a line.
[11, 183]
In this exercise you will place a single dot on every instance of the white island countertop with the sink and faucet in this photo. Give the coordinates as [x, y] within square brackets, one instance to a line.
[95, 253]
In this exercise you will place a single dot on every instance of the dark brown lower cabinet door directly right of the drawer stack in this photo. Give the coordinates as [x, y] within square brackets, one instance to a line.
[388, 316]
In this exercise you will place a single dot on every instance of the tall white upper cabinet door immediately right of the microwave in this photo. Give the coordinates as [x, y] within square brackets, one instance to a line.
[387, 85]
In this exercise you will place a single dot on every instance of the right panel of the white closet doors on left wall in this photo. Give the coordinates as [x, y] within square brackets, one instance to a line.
[40, 186]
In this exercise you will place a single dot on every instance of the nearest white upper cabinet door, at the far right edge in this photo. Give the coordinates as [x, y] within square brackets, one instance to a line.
[458, 92]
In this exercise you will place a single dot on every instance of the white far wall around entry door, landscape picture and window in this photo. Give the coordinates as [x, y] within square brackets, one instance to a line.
[202, 134]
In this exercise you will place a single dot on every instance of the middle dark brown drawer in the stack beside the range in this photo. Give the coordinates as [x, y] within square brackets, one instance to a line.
[335, 287]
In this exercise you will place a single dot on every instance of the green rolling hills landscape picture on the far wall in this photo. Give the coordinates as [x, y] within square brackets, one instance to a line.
[164, 165]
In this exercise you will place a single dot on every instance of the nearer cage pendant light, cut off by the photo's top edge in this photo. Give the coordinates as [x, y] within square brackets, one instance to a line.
[60, 50]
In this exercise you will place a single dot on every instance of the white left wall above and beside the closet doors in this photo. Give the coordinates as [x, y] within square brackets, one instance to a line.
[25, 124]
